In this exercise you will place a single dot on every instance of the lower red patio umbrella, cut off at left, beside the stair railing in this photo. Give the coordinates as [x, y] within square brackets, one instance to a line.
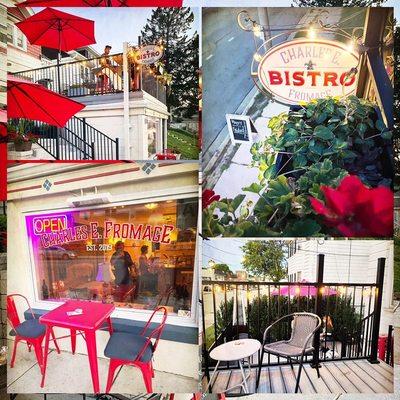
[35, 102]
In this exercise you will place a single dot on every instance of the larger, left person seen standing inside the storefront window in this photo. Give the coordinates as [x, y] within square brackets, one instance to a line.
[124, 271]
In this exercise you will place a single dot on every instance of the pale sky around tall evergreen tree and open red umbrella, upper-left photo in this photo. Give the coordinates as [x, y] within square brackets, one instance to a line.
[114, 26]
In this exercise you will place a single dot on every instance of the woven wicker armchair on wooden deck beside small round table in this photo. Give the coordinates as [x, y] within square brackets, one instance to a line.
[304, 327]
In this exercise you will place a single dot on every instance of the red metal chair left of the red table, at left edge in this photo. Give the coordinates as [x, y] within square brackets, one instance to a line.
[31, 330]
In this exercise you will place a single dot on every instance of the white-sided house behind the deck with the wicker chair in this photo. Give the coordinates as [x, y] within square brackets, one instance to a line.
[346, 261]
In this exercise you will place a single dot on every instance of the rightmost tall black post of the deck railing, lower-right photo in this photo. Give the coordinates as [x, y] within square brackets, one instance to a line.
[380, 275]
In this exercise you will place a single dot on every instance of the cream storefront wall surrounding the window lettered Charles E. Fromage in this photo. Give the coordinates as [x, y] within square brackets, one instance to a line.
[127, 186]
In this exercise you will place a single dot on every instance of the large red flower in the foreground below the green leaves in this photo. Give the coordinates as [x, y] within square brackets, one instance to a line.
[355, 210]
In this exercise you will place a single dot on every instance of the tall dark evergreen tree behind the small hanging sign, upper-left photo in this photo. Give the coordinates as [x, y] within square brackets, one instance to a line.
[181, 56]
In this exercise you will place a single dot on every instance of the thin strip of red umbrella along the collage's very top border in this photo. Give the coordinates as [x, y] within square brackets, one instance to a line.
[101, 3]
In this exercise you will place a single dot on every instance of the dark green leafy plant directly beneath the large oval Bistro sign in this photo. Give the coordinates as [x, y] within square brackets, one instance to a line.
[349, 132]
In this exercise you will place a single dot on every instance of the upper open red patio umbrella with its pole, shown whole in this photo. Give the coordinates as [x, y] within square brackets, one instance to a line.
[58, 30]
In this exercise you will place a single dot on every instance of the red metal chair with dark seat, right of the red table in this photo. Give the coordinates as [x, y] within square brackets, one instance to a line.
[137, 350]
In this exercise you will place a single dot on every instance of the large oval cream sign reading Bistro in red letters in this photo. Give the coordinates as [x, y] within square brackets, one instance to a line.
[304, 69]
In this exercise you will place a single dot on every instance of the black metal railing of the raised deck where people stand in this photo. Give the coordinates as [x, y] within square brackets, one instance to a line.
[90, 77]
